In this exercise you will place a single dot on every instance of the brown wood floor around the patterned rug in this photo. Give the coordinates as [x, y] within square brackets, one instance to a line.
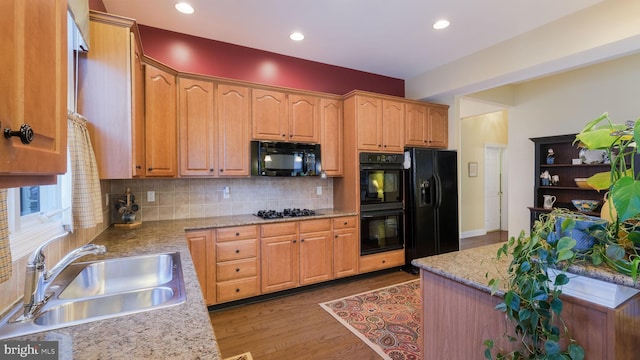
[295, 327]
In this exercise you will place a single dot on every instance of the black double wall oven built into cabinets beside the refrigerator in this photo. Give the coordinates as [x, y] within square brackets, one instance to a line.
[381, 202]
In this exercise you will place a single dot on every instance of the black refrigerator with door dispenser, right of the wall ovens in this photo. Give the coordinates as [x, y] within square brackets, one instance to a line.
[431, 203]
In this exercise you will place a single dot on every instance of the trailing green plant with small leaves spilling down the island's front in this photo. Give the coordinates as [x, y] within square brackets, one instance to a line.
[532, 301]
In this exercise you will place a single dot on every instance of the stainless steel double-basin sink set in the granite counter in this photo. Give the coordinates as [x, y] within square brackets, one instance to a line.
[98, 290]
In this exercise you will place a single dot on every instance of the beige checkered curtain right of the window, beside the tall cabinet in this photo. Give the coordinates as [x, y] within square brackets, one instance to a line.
[86, 204]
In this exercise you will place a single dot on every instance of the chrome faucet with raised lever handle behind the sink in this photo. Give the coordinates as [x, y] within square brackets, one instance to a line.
[38, 278]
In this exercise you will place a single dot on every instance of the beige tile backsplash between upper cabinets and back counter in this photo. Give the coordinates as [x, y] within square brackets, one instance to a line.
[194, 198]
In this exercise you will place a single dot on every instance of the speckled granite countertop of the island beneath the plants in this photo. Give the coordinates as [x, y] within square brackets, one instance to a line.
[476, 266]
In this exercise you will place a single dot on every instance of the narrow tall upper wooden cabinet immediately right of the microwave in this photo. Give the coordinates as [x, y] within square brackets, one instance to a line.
[331, 136]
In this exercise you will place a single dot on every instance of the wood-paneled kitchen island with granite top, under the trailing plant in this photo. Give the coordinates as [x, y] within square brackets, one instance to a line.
[459, 312]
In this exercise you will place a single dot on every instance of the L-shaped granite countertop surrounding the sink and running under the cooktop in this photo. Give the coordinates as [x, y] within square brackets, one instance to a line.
[179, 332]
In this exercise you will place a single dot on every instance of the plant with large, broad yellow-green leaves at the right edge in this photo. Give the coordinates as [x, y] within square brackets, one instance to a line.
[621, 247]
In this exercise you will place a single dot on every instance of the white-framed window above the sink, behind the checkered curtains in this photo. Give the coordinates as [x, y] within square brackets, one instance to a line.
[35, 213]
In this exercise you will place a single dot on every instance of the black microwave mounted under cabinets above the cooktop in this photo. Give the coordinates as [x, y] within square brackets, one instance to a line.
[284, 159]
